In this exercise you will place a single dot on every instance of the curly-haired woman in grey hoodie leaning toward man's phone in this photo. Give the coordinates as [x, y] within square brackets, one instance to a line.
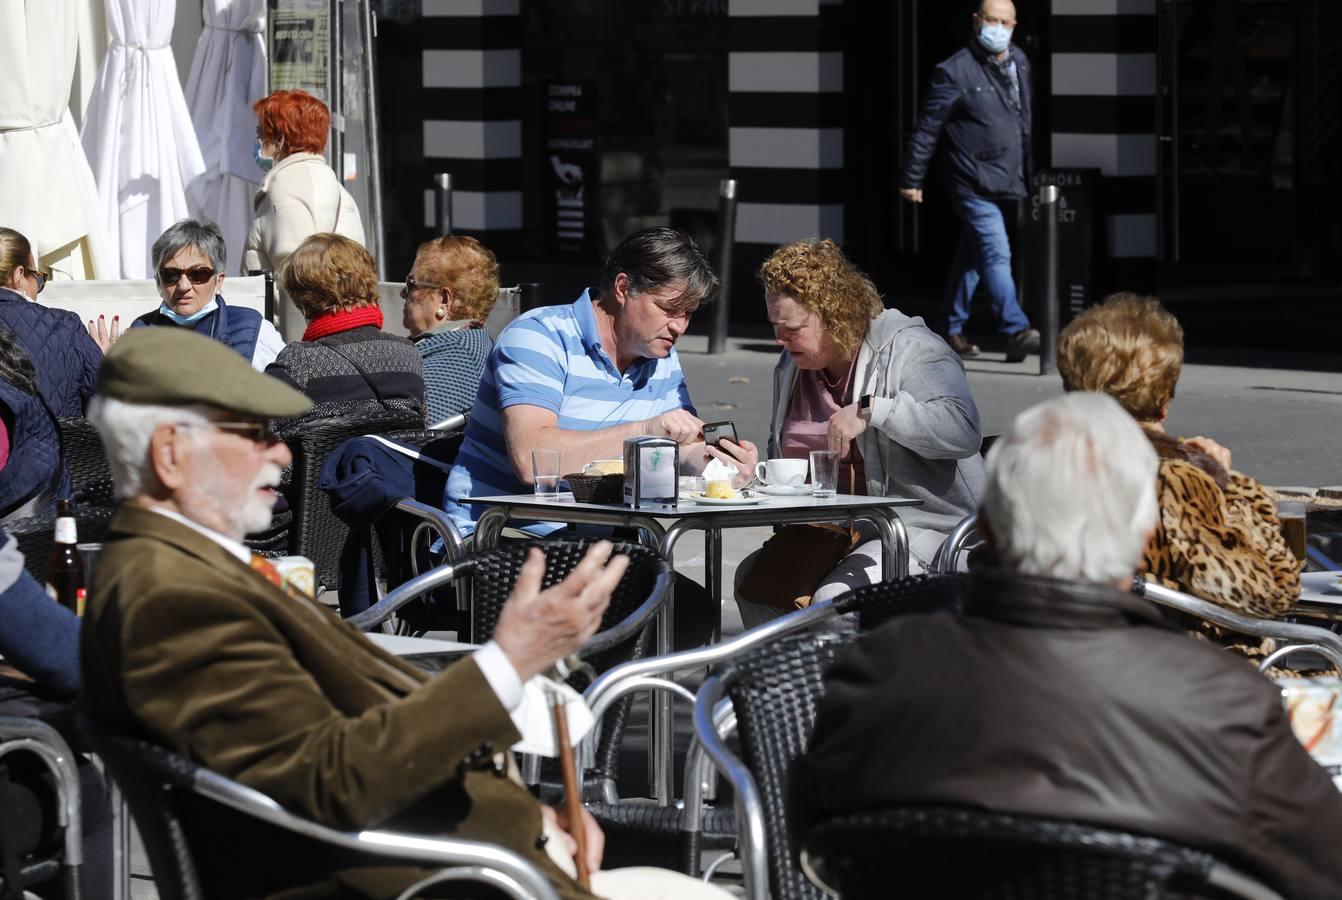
[880, 388]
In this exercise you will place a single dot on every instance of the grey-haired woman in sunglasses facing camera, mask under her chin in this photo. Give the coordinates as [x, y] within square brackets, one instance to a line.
[190, 269]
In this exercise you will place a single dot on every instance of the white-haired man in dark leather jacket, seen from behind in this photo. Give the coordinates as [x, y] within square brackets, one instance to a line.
[1060, 694]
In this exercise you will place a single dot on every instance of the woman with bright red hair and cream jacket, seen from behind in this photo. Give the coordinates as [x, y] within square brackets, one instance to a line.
[300, 196]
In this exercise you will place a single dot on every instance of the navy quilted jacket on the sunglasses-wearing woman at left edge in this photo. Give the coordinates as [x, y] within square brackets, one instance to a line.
[62, 352]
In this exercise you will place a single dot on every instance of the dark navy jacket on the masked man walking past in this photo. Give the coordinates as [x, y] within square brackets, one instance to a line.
[987, 133]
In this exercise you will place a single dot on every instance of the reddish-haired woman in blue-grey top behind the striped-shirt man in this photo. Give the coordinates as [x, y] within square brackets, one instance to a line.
[449, 294]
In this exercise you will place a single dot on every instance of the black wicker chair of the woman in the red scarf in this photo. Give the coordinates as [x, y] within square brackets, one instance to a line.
[315, 532]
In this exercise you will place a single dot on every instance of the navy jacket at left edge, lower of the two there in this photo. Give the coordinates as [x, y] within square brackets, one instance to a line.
[36, 462]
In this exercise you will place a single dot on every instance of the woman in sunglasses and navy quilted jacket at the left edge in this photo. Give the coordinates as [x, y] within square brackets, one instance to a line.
[62, 353]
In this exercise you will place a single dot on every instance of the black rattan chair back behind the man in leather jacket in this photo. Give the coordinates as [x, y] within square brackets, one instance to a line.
[951, 854]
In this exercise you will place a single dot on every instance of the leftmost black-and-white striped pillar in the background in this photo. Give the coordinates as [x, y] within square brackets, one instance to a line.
[473, 115]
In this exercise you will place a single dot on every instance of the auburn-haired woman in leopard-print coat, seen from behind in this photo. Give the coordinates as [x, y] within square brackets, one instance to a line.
[1218, 536]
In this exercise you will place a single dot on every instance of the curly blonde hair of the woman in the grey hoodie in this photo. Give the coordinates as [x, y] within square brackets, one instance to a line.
[818, 276]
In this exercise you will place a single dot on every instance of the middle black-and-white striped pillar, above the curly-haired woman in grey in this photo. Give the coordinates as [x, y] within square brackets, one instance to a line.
[786, 124]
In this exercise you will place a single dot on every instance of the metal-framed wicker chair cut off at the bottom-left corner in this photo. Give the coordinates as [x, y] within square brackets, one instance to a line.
[44, 742]
